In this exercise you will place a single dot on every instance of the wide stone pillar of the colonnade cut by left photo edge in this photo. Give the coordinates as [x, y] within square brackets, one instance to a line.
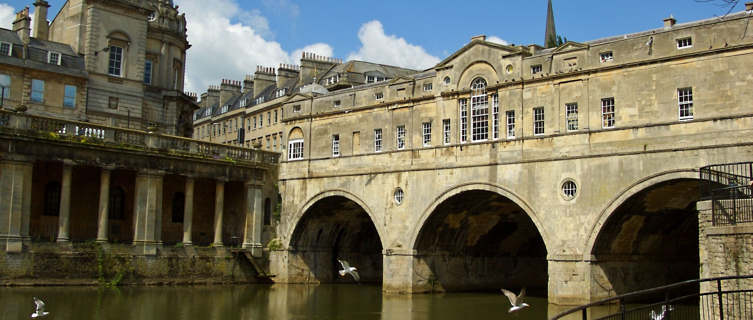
[15, 204]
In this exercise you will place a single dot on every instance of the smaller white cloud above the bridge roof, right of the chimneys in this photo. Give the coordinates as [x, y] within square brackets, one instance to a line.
[376, 46]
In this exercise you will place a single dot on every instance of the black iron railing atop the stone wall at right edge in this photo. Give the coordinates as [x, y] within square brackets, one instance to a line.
[728, 187]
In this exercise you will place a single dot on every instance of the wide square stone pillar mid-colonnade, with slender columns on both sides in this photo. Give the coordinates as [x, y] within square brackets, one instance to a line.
[147, 217]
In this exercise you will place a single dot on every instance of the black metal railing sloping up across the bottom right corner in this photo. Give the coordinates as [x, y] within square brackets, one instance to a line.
[715, 298]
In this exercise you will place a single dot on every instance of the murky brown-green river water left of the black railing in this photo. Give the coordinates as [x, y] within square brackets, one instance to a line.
[258, 302]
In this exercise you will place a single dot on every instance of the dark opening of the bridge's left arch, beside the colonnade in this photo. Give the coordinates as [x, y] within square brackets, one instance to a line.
[335, 227]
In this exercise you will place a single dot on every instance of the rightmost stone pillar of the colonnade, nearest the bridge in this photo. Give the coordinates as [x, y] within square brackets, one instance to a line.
[254, 220]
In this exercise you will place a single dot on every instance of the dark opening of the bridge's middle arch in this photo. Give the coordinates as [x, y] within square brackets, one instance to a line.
[479, 240]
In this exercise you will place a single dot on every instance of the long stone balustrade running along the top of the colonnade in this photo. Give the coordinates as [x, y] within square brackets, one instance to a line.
[84, 132]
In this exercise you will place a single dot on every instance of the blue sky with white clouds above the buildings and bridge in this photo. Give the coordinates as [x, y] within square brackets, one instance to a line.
[230, 38]
